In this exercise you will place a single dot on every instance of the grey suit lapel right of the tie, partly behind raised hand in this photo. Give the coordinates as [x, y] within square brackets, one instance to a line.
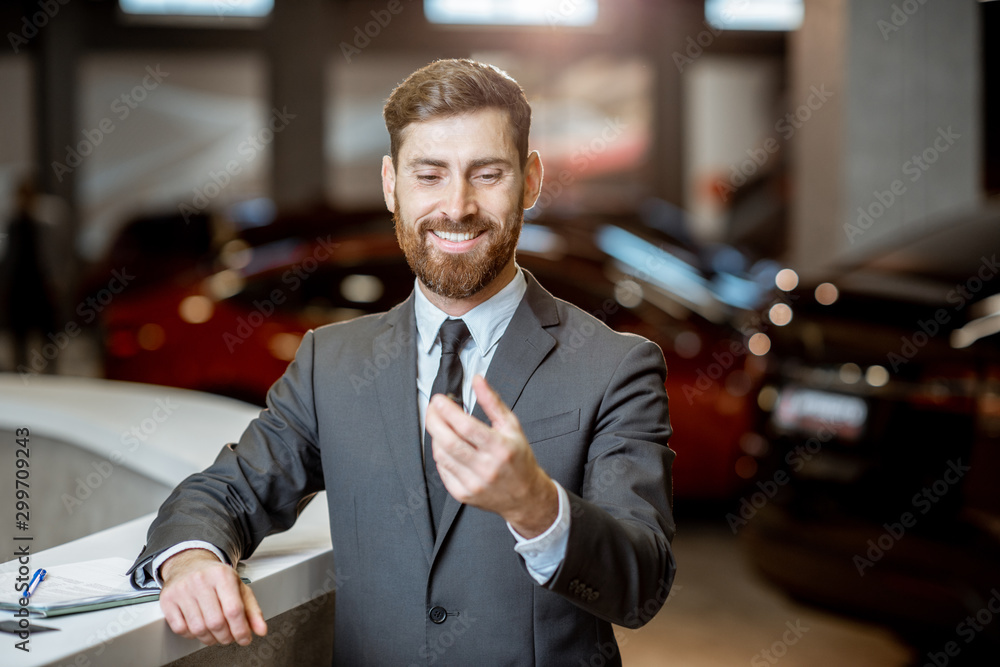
[521, 349]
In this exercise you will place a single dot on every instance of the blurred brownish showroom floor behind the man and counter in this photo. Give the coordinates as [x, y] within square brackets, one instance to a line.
[719, 613]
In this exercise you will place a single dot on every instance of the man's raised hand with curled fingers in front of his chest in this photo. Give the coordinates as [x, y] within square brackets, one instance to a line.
[491, 467]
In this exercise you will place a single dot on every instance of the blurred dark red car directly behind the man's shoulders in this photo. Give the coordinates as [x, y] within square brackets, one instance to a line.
[232, 330]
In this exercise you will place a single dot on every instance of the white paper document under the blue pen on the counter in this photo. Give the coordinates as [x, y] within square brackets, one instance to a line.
[77, 587]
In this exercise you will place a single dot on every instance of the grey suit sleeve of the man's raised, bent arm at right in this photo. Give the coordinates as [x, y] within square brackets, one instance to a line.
[619, 565]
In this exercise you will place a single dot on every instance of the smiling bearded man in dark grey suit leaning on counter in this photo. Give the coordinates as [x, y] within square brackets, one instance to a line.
[554, 517]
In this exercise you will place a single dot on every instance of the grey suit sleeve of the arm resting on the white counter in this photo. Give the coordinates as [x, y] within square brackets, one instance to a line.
[257, 486]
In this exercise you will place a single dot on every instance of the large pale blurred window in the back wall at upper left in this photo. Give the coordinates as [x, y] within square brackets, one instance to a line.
[168, 134]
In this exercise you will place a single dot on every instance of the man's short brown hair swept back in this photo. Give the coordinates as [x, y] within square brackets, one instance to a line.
[452, 87]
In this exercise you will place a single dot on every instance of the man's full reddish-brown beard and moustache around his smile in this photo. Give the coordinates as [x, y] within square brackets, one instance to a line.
[458, 275]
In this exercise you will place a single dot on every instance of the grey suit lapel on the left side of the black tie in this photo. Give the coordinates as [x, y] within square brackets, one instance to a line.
[396, 386]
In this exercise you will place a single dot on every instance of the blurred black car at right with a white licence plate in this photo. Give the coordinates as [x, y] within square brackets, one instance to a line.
[879, 420]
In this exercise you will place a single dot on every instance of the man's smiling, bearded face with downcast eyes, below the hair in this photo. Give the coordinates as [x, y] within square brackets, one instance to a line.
[458, 193]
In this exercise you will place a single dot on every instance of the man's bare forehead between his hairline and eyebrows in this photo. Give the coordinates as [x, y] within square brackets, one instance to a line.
[486, 130]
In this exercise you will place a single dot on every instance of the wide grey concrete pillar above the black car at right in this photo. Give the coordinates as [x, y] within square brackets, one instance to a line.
[898, 135]
